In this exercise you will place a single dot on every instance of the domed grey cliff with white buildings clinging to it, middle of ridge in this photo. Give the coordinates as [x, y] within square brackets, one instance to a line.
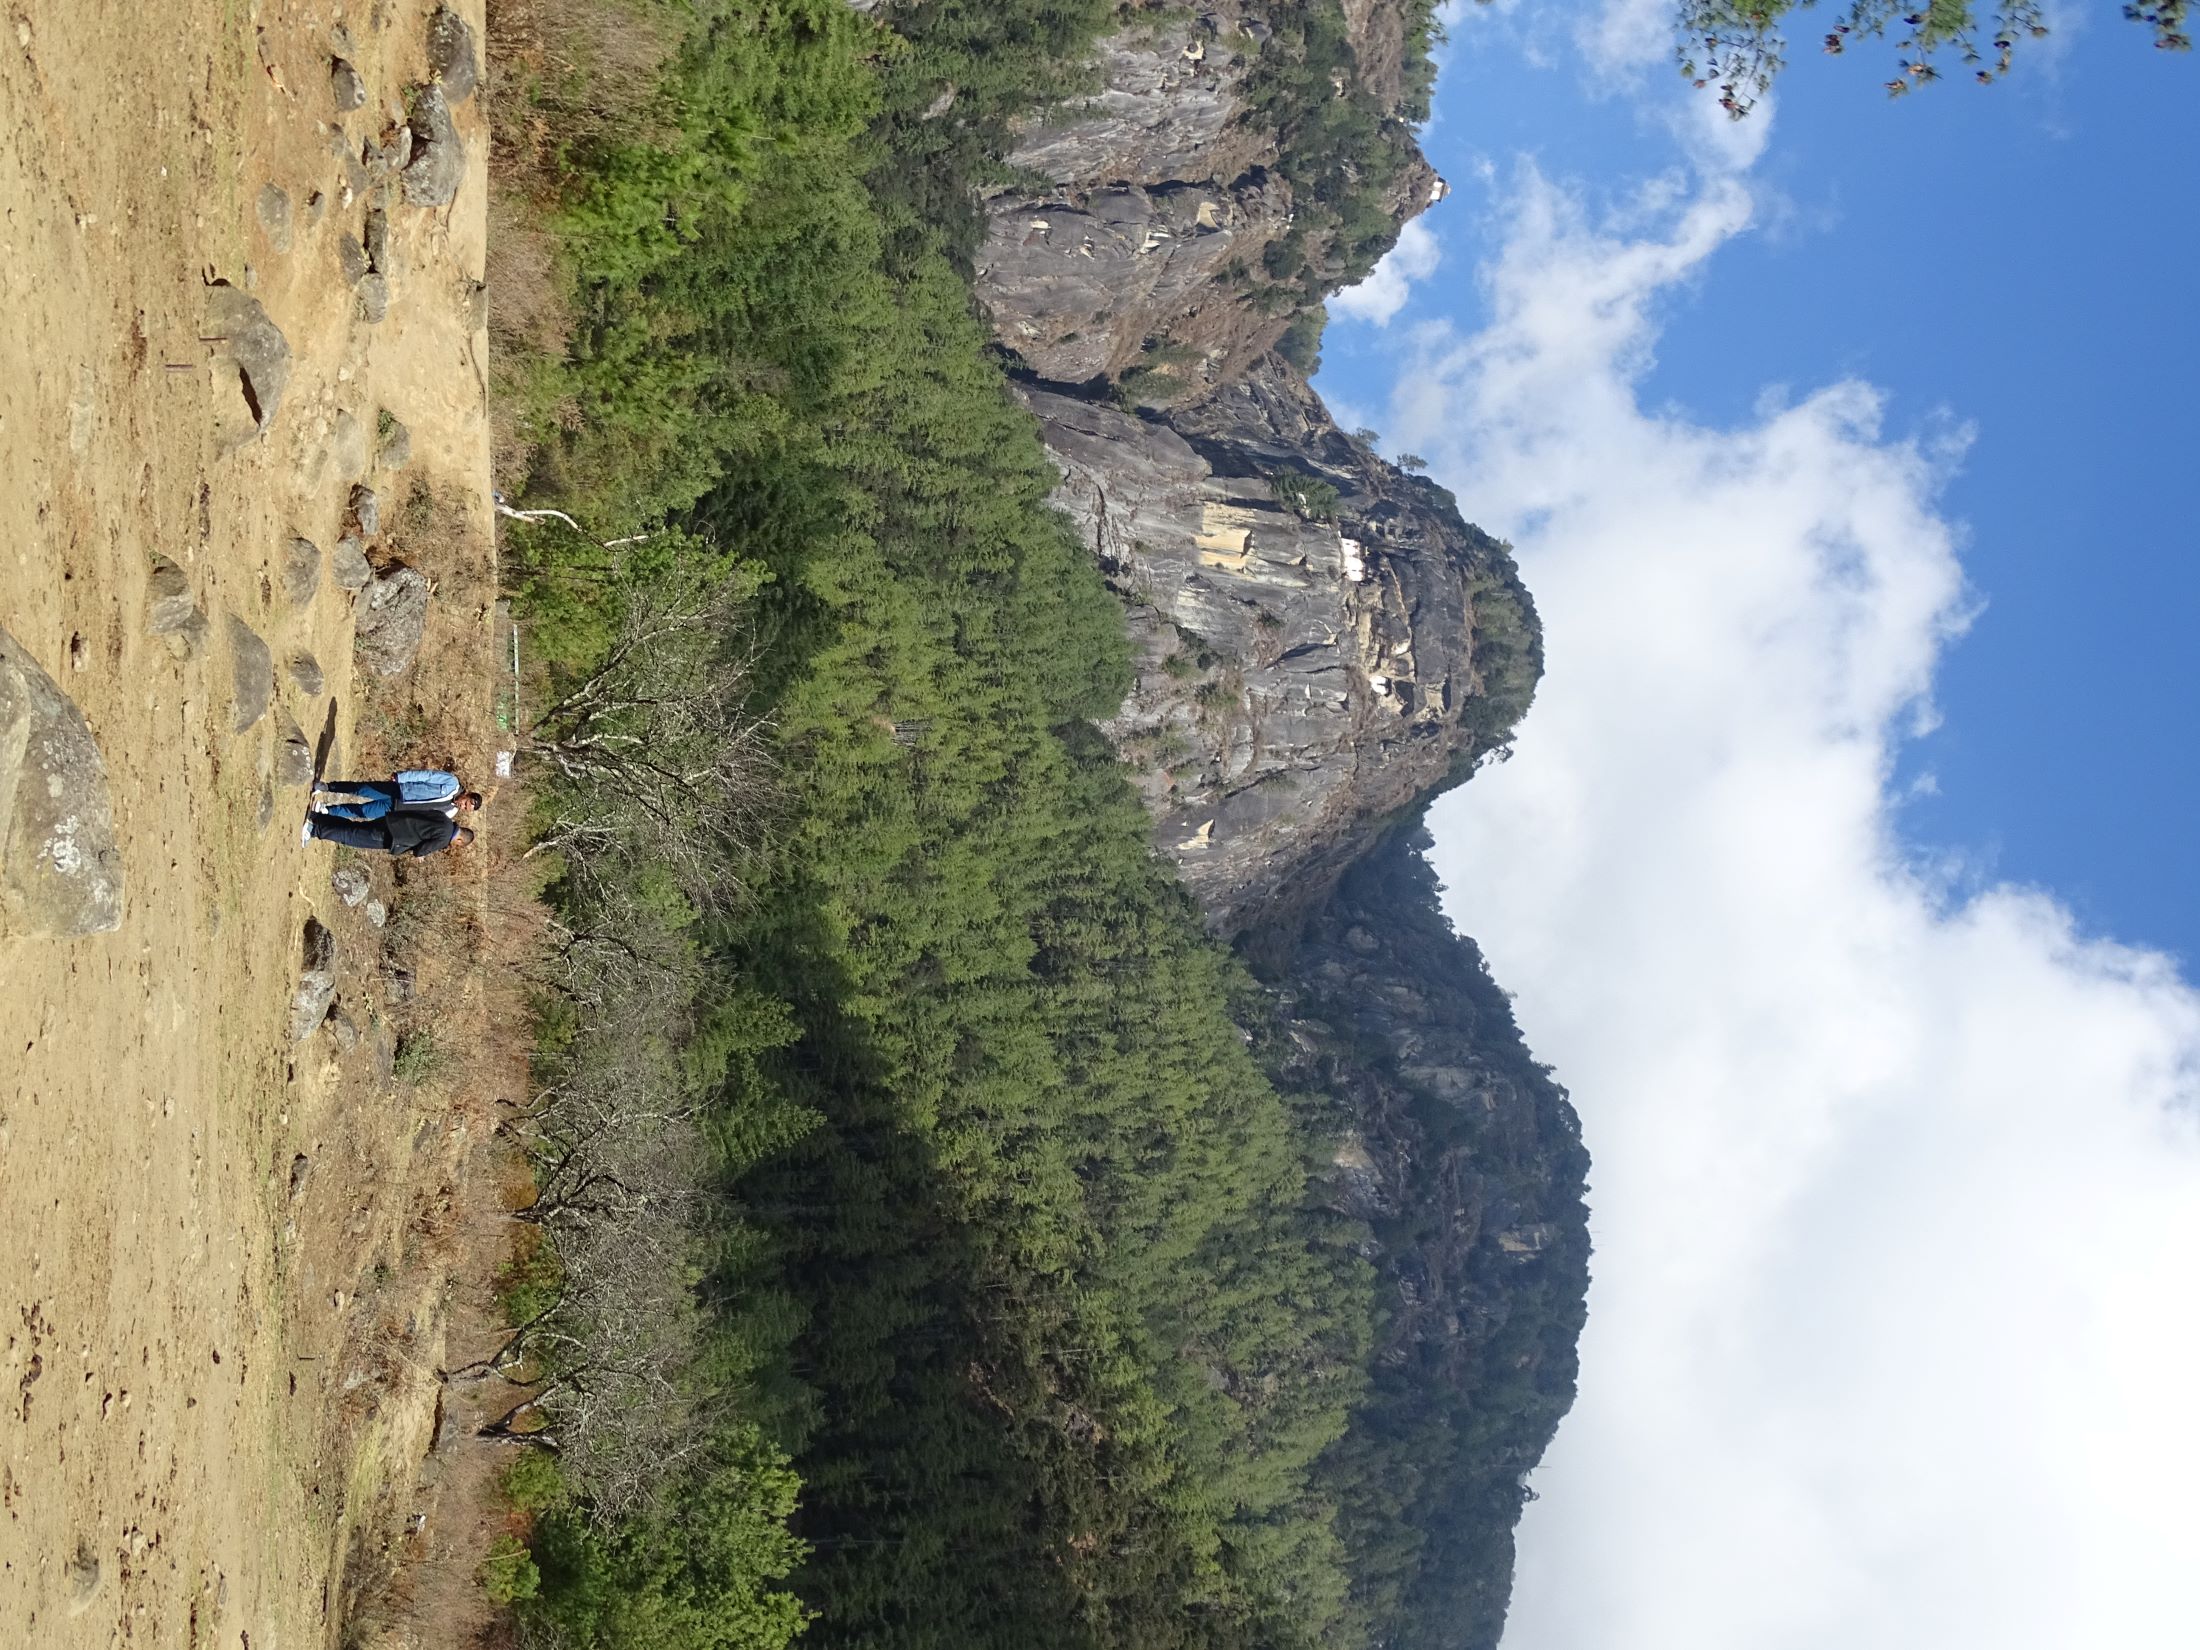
[1319, 637]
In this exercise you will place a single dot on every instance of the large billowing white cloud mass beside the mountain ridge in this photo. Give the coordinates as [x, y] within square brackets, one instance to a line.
[1897, 1187]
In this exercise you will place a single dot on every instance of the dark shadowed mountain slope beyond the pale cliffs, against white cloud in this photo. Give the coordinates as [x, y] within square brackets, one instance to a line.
[1466, 1163]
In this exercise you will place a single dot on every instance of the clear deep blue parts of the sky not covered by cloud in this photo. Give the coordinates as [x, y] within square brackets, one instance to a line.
[2014, 261]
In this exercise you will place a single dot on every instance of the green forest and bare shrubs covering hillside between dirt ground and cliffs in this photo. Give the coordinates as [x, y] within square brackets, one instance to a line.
[921, 1246]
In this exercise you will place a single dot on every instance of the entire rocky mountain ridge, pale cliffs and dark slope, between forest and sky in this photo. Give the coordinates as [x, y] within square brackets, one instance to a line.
[1323, 643]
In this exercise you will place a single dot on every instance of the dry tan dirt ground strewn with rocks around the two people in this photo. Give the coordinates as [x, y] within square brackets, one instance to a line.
[223, 1255]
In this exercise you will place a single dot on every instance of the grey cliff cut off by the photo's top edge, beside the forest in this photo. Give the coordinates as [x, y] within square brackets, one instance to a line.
[1171, 223]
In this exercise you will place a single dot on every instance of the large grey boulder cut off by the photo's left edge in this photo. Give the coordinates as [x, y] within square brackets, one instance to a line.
[60, 868]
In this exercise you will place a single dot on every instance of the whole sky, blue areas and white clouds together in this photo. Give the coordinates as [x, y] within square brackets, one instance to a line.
[1840, 868]
